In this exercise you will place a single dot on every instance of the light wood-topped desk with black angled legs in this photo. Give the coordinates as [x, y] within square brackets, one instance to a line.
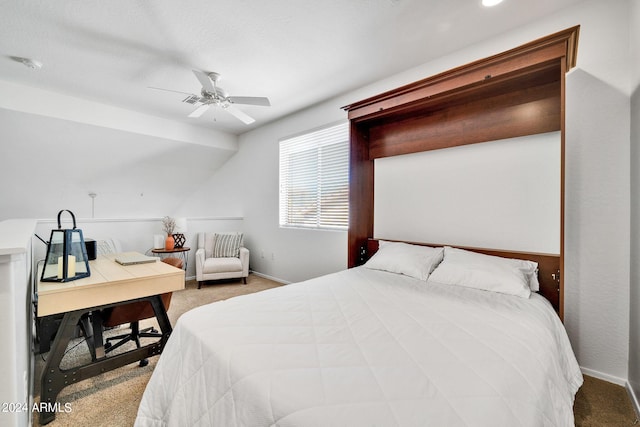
[109, 285]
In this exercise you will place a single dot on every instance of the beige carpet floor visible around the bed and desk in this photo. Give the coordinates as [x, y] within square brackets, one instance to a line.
[112, 399]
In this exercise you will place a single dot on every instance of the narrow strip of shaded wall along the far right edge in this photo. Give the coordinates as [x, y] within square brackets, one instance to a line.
[634, 300]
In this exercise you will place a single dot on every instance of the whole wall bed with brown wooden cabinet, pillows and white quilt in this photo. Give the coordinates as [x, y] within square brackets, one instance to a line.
[405, 336]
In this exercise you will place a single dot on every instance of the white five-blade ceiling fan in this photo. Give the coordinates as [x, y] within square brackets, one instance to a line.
[211, 94]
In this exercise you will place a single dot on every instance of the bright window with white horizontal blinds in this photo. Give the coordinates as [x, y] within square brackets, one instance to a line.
[314, 179]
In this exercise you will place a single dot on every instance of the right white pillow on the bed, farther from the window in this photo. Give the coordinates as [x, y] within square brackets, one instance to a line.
[490, 273]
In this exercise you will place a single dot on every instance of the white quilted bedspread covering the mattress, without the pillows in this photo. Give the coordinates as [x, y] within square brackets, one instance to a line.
[365, 348]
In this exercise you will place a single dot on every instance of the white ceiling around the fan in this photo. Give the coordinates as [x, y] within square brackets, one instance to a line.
[295, 52]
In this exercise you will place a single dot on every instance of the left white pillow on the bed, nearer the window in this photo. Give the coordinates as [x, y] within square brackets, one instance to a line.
[403, 258]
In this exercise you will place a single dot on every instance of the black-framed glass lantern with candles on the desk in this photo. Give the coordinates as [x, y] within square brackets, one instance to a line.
[66, 255]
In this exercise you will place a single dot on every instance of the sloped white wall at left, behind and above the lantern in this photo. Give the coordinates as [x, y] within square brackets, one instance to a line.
[51, 163]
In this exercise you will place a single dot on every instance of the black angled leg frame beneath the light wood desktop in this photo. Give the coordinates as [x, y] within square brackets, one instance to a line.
[54, 379]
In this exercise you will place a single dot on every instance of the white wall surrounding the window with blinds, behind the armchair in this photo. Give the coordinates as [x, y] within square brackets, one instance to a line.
[250, 180]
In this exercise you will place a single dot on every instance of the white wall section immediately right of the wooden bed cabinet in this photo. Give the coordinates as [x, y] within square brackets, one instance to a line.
[597, 194]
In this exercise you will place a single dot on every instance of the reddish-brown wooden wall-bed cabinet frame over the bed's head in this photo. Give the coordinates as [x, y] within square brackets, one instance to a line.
[515, 93]
